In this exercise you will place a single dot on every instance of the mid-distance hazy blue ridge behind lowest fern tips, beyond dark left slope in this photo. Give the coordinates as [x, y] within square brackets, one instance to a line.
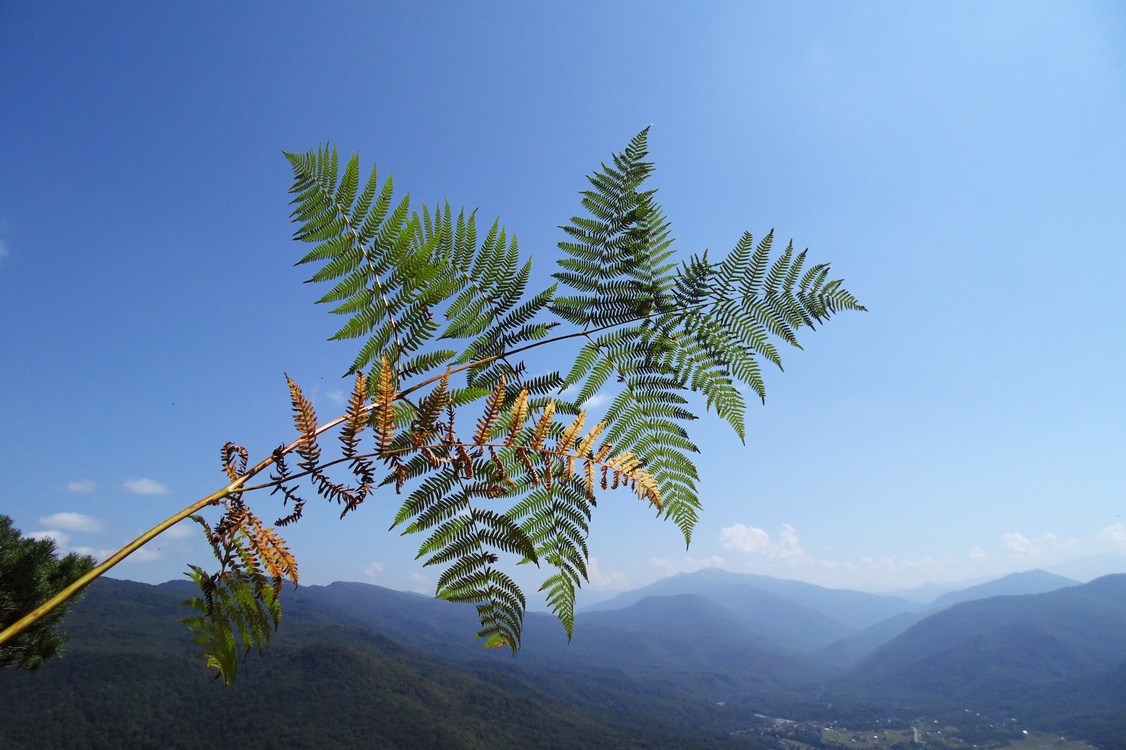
[660, 636]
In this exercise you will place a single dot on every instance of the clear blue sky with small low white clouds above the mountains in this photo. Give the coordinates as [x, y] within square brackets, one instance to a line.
[962, 166]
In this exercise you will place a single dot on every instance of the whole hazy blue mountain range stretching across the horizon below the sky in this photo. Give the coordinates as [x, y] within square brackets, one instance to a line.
[655, 673]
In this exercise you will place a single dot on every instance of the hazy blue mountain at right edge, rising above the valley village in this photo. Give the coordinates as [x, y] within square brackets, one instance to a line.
[1049, 658]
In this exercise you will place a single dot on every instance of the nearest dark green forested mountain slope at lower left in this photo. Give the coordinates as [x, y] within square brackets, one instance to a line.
[131, 680]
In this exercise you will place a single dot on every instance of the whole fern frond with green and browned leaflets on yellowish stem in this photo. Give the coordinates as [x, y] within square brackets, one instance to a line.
[495, 466]
